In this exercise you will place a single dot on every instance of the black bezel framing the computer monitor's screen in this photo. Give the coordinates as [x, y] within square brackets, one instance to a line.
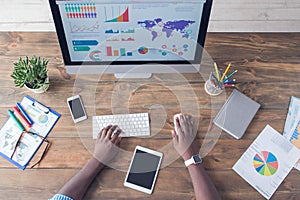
[66, 54]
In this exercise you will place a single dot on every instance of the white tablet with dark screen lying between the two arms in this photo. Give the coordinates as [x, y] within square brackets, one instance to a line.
[143, 169]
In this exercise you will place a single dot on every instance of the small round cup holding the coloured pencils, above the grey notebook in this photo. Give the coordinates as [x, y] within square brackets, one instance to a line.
[213, 86]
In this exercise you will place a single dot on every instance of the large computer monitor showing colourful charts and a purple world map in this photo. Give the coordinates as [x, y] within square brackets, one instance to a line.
[136, 37]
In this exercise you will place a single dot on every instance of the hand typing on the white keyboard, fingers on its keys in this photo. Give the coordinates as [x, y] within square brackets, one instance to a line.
[107, 145]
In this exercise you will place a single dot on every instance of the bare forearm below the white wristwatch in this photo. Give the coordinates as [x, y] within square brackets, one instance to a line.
[203, 186]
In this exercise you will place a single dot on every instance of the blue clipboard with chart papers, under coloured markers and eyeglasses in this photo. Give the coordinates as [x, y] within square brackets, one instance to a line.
[24, 150]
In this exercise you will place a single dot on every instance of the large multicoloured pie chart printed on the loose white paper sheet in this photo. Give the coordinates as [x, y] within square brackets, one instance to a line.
[265, 163]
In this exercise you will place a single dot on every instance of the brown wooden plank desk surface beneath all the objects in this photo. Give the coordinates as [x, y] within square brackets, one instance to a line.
[269, 68]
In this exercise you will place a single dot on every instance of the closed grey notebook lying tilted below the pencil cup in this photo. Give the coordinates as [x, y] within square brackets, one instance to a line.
[236, 114]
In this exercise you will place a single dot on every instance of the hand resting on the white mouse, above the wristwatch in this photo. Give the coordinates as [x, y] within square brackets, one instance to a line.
[184, 142]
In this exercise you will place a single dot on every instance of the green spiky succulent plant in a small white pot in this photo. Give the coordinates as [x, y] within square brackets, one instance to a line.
[31, 73]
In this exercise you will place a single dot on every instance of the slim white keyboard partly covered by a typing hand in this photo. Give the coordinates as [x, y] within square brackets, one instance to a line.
[132, 125]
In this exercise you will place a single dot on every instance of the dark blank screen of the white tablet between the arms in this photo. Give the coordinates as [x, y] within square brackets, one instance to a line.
[143, 169]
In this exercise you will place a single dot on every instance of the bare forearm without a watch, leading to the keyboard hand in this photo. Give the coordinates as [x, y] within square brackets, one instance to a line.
[77, 186]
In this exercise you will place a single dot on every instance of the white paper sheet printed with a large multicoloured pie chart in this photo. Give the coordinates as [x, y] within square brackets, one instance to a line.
[267, 161]
